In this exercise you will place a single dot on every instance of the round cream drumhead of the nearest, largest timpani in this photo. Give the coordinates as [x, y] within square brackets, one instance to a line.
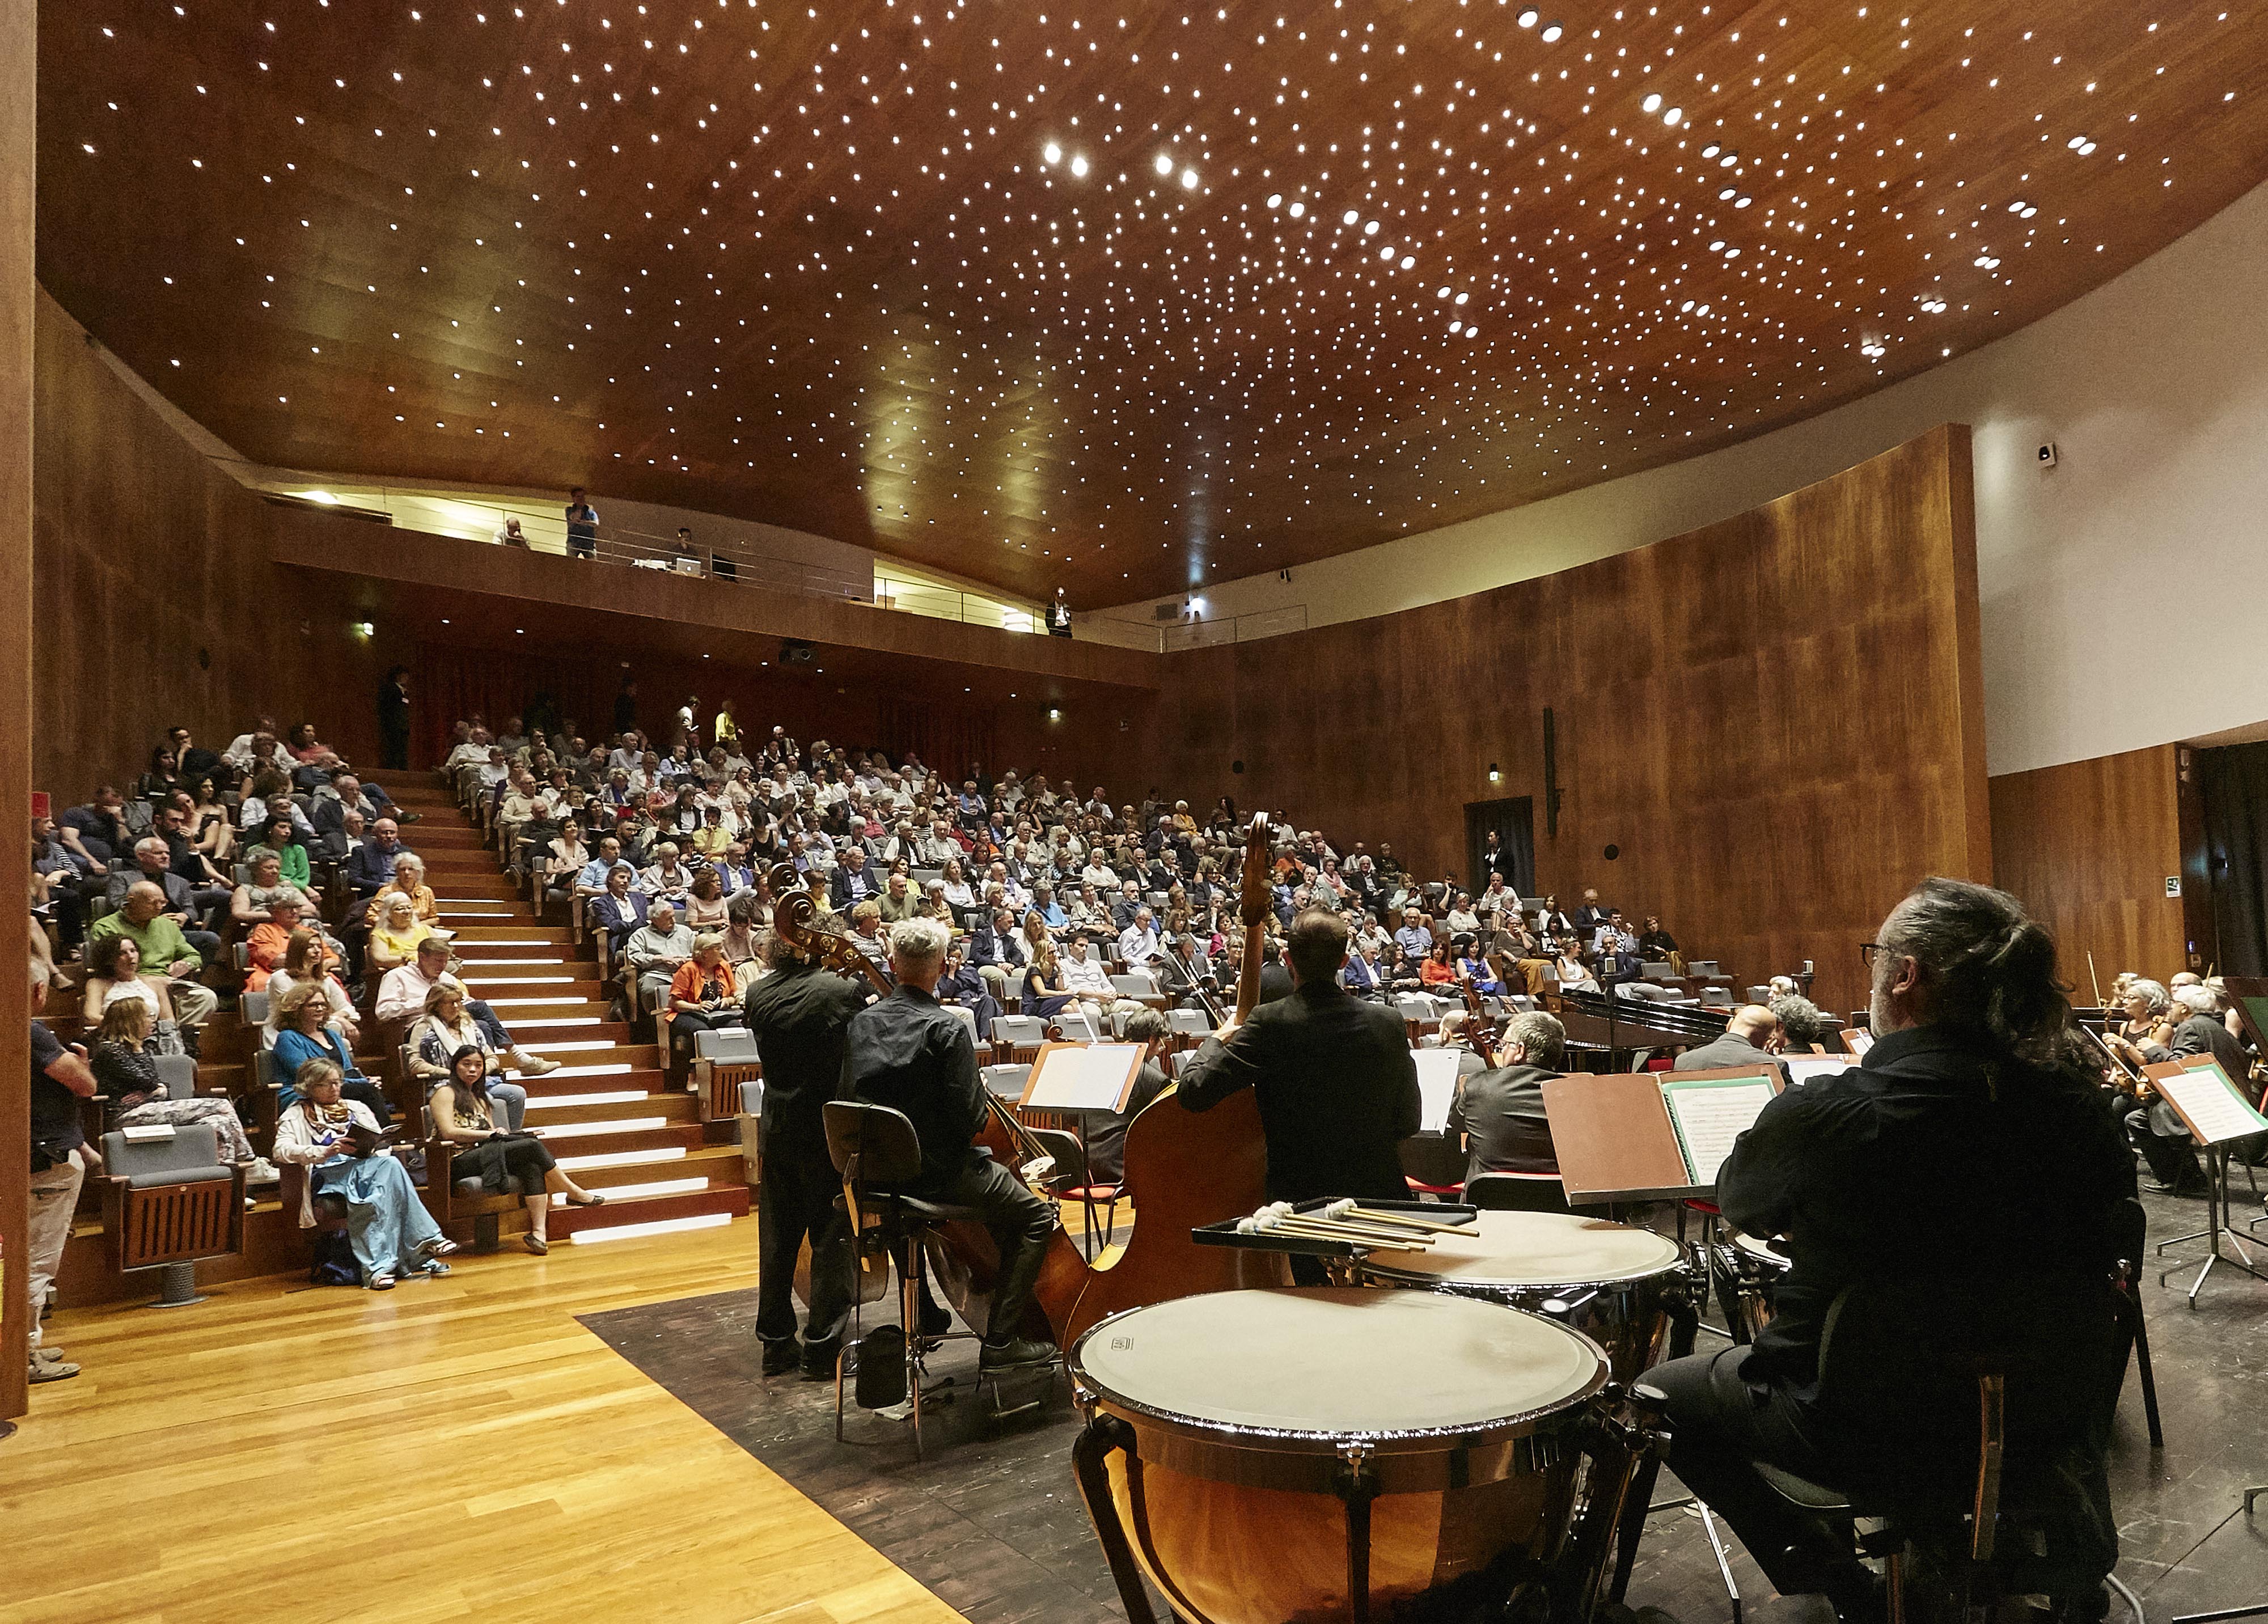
[1335, 1362]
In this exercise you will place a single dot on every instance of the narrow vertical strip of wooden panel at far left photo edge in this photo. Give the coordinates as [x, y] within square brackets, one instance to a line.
[17, 296]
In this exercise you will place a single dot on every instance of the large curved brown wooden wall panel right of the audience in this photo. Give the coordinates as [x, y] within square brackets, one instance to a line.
[1772, 720]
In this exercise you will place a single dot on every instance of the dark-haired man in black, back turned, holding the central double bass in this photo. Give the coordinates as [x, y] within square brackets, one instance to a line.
[1335, 1076]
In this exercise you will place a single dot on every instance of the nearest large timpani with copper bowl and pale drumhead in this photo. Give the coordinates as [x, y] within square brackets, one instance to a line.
[1335, 1453]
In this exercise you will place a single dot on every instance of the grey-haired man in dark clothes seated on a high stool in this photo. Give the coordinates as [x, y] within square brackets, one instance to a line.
[913, 1056]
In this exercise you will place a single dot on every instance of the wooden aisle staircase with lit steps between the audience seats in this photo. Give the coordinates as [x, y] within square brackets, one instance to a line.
[609, 1115]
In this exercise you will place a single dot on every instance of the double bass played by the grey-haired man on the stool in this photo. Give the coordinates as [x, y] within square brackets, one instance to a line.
[965, 1255]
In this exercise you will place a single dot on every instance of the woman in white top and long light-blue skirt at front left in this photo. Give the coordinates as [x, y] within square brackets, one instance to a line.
[337, 1142]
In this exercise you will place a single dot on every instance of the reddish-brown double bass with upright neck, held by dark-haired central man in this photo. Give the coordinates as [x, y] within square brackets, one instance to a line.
[1187, 1172]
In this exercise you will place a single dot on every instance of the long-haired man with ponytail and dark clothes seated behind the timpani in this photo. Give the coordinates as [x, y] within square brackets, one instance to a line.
[1972, 1131]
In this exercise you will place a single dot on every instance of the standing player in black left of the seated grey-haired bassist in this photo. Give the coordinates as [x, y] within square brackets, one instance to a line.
[799, 1017]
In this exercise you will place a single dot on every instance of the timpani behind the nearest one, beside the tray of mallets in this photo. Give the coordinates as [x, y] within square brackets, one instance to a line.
[1609, 1280]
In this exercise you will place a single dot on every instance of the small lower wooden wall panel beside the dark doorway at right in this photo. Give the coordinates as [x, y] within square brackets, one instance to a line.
[2090, 847]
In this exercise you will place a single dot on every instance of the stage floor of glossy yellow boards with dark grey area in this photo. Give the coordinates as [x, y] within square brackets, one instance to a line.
[586, 1437]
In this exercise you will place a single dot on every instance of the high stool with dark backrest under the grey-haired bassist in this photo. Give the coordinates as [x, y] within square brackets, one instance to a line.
[874, 1149]
